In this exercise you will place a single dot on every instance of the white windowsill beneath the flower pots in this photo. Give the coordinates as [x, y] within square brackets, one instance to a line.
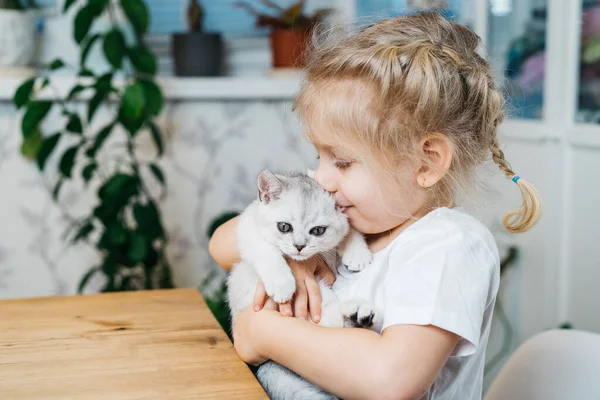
[202, 89]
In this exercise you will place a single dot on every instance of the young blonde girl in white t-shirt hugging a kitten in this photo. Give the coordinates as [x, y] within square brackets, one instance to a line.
[401, 115]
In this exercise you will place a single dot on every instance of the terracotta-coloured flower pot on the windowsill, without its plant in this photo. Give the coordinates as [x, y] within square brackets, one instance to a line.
[290, 47]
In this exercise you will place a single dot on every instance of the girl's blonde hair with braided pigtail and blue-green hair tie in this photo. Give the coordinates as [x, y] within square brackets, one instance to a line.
[411, 77]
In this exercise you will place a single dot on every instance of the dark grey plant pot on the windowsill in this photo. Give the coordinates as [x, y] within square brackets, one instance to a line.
[197, 54]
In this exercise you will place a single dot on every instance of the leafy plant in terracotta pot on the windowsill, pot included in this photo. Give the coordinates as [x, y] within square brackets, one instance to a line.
[291, 30]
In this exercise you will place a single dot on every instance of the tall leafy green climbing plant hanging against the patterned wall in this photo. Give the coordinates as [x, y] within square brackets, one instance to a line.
[124, 225]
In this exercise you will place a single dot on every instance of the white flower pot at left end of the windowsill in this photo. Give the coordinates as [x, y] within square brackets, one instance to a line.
[17, 30]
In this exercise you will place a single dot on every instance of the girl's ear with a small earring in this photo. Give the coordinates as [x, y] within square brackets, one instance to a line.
[437, 151]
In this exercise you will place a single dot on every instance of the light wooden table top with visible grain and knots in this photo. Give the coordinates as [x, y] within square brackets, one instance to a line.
[135, 345]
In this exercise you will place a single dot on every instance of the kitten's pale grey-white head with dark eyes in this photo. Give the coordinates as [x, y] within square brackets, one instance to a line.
[298, 216]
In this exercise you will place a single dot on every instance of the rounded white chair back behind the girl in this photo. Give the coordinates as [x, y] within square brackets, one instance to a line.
[553, 365]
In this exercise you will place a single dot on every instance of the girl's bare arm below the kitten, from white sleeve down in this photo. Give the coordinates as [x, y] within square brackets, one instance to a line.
[402, 363]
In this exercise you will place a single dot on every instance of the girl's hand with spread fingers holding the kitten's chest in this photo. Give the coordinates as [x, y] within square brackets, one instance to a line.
[308, 293]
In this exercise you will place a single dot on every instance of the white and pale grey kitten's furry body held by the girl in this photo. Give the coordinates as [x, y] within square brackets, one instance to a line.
[297, 200]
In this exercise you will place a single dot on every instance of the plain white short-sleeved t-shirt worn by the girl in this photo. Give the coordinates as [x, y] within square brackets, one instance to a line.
[443, 270]
